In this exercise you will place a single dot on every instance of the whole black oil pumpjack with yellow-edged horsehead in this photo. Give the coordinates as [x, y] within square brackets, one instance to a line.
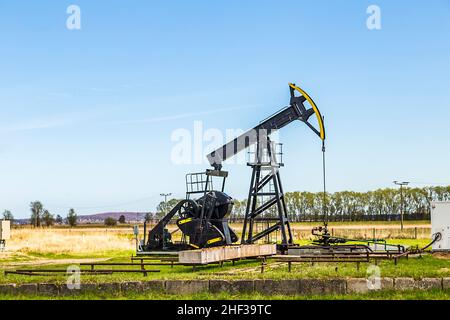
[204, 221]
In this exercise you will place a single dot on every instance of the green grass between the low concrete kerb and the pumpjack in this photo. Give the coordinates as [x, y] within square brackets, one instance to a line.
[416, 267]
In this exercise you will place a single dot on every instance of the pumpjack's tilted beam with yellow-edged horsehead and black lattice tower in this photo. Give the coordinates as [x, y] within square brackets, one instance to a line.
[266, 190]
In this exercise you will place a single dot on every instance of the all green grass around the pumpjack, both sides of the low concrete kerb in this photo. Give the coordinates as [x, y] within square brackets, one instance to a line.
[418, 267]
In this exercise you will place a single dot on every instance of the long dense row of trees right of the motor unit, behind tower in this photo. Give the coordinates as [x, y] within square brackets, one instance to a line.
[378, 205]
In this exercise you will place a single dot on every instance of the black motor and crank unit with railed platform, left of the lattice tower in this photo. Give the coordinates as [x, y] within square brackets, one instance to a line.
[203, 222]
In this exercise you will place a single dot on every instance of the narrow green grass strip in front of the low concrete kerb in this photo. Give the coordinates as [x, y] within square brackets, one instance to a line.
[377, 295]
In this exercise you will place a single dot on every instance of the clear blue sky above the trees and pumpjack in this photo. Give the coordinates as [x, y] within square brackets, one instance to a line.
[86, 116]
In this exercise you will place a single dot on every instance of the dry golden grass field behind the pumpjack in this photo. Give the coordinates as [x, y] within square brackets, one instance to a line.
[95, 240]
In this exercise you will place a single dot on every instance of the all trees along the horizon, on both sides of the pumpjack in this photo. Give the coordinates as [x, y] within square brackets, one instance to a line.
[378, 205]
